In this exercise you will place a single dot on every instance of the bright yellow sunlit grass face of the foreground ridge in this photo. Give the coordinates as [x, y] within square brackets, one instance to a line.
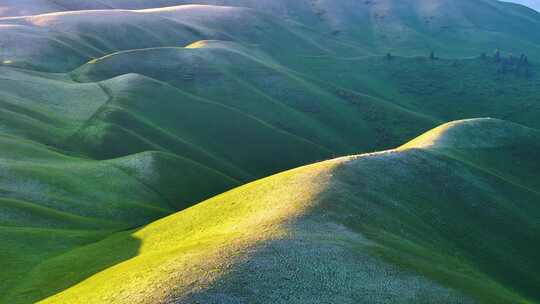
[190, 250]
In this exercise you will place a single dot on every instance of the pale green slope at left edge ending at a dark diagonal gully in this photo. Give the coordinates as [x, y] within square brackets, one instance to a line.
[47, 108]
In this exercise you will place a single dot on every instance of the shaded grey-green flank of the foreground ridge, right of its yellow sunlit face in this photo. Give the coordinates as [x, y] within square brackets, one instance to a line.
[446, 227]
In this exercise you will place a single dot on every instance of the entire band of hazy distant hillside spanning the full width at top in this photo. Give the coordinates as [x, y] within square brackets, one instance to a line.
[453, 28]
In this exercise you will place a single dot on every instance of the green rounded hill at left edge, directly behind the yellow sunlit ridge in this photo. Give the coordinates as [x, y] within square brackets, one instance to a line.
[52, 203]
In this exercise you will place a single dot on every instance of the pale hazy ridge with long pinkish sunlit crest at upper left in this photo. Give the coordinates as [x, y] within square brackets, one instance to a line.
[61, 41]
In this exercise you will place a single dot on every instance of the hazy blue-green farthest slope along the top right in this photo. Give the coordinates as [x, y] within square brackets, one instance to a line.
[450, 27]
